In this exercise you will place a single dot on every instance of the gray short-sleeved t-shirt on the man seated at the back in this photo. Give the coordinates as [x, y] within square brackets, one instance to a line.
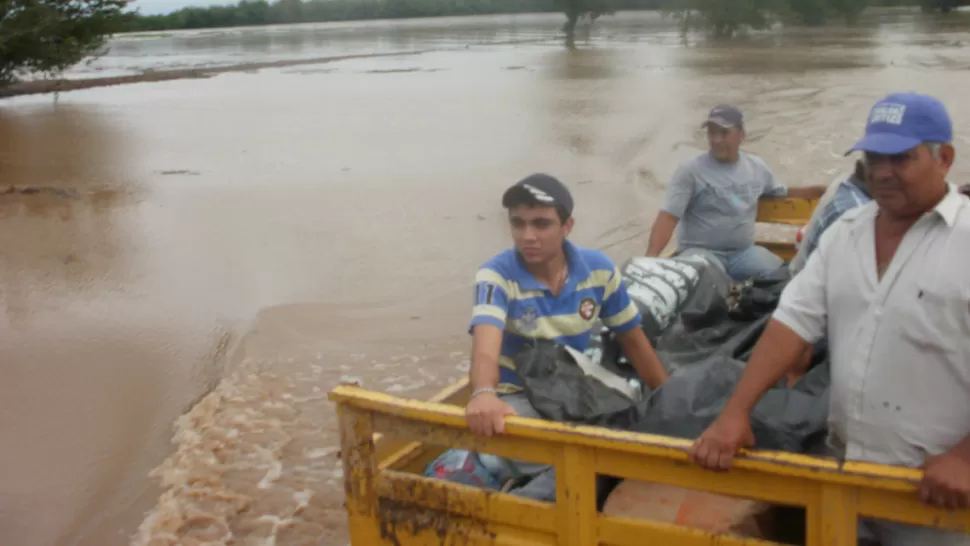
[717, 203]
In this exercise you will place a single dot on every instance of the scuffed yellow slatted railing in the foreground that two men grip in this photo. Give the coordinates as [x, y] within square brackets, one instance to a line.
[386, 506]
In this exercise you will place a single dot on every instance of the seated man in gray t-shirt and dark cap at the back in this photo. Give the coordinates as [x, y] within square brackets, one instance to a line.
[713, 200]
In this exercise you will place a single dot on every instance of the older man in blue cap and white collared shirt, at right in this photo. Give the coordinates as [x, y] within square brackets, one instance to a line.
[889, 287]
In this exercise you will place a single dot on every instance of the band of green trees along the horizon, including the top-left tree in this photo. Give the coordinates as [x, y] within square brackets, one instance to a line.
[48, 36]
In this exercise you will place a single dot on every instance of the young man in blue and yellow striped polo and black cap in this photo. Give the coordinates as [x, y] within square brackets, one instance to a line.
[543, 288]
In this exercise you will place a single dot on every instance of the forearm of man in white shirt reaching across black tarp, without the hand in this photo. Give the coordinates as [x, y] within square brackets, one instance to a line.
[773, 356]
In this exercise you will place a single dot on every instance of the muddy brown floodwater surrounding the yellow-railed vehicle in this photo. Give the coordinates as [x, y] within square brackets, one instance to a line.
[190, 266]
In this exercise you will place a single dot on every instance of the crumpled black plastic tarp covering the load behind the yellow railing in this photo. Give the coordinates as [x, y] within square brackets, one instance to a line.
[706, 352]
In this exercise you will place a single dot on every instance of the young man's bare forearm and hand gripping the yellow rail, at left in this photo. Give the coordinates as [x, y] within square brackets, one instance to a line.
[485, 411]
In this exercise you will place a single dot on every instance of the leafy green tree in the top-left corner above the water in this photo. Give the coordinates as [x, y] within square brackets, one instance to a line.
[48, 36]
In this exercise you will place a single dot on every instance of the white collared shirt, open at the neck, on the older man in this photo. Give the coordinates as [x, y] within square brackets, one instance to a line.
[900, 346]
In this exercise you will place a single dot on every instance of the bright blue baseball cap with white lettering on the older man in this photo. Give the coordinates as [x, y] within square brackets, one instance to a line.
[903, 121]
